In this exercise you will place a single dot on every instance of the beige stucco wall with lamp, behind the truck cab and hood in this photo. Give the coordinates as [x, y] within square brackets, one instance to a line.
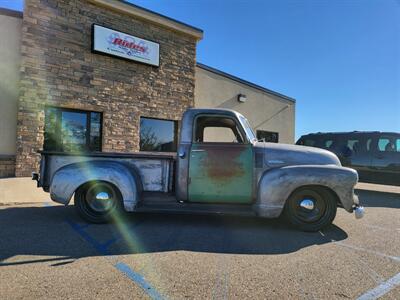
[263, 110]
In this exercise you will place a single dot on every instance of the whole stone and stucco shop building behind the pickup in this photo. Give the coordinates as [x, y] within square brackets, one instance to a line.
[106, 75]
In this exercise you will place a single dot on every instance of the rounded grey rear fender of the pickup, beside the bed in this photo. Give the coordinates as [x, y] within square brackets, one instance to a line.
[70, 177]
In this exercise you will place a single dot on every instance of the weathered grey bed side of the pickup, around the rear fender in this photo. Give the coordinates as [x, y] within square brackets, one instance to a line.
[156, 170]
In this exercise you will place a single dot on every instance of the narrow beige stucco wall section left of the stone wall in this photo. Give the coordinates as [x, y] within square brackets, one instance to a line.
[10, 37]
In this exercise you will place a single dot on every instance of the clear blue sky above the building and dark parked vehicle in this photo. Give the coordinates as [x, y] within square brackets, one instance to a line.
[339, 59]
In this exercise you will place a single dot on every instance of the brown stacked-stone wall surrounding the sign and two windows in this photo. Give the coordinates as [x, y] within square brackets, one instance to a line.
[58, 68]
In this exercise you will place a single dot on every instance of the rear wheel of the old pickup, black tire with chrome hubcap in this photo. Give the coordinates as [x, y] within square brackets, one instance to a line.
[98, 202]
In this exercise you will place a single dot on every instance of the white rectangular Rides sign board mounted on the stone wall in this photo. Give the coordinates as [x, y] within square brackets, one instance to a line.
[109, 41]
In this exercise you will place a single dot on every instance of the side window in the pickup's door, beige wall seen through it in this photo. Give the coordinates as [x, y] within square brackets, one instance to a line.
[215, 129]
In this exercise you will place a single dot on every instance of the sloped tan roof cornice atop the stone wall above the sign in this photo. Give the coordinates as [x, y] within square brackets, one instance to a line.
[150, 16]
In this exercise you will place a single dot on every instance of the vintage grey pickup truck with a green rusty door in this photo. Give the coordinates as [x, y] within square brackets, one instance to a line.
[242, 177]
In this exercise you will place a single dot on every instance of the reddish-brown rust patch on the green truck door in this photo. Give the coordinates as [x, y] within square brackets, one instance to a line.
[224, 163]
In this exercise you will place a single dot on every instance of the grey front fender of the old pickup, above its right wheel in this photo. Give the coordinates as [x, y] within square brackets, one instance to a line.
[276, 185]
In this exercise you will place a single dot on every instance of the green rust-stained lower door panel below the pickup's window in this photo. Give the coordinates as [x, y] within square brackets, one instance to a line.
[221, 173]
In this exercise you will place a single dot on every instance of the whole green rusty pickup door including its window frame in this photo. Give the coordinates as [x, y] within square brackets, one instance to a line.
[221, 162]
